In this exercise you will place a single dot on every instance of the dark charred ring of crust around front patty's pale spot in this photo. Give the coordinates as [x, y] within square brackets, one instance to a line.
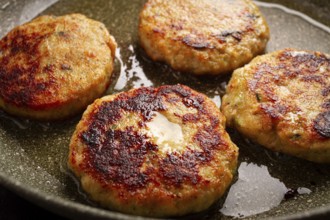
[117, 155]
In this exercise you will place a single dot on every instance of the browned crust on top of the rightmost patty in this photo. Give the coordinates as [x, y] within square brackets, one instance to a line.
[304, 68]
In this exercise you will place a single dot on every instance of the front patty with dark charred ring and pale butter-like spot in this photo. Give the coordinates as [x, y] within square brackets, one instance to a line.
[153, 152]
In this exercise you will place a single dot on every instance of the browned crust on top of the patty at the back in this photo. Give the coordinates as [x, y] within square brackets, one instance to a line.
[198, 40]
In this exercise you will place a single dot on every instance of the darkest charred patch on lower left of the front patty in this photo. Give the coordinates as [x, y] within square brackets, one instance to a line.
[119, 158]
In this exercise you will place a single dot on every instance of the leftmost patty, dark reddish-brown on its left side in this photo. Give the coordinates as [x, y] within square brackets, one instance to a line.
[53, 67]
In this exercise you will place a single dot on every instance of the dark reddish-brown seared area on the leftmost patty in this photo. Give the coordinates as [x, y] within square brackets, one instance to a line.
[19, 84]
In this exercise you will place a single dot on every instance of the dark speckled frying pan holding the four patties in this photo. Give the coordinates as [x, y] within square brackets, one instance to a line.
[33, 154]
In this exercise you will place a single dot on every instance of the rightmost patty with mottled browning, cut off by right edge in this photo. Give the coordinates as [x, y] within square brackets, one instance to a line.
[282, 101]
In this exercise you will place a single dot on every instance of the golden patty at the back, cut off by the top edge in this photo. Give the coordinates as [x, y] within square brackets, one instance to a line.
[203, 37]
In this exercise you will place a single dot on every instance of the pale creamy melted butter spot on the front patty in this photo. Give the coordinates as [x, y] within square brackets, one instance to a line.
[167, 135]
